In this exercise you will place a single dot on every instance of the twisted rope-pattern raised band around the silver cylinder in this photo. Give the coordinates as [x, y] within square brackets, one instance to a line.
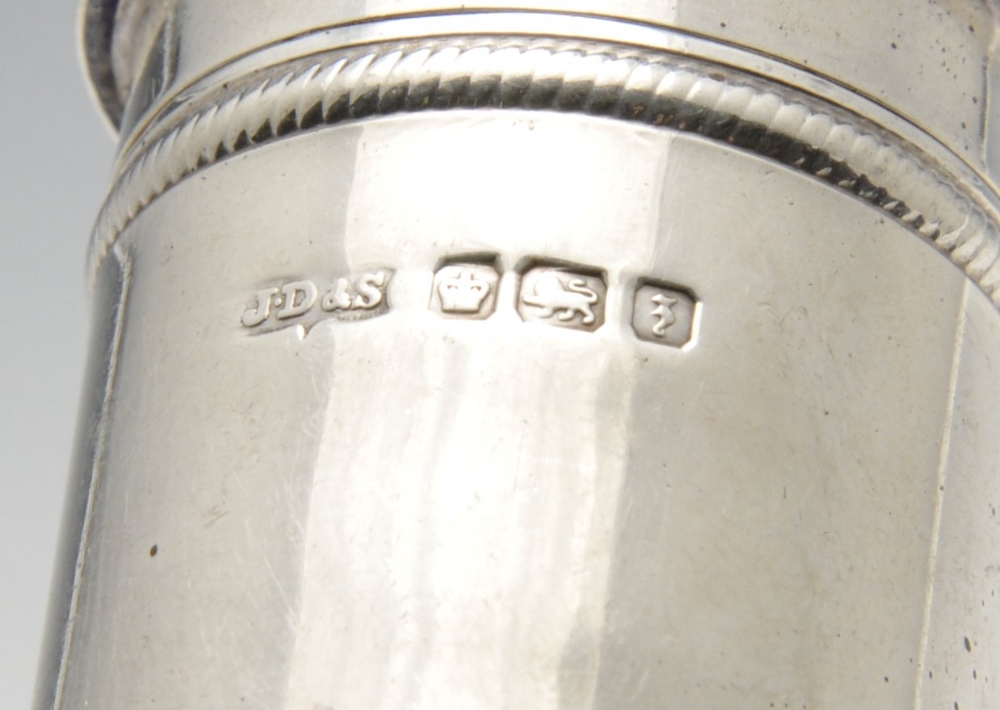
[654, 88]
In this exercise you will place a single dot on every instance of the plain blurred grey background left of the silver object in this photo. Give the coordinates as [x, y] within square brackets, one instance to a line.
[56, 156]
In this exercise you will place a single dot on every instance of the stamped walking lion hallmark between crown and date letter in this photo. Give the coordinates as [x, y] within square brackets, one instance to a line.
[563, 297]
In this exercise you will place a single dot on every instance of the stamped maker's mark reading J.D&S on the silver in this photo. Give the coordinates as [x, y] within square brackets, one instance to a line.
[306, 302]
